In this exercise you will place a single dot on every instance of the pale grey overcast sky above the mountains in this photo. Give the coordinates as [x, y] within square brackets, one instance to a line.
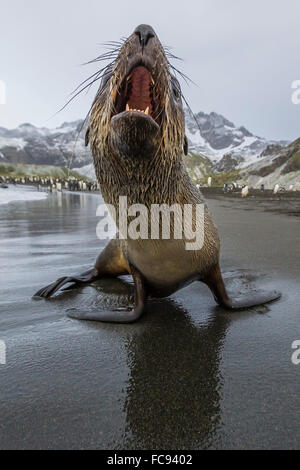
[243, 55]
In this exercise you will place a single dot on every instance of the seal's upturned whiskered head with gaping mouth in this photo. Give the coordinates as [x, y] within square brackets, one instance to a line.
[138, 108]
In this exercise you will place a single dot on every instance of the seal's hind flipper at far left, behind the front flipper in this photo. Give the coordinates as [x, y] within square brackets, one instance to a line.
[74, 281]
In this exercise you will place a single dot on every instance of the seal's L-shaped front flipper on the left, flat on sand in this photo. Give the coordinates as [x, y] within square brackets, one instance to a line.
[118, 315]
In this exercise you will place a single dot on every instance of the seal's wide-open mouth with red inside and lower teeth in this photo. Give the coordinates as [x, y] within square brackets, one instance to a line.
[137, 94]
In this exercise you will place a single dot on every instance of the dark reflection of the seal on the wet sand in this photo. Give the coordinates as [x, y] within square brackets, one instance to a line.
[174, 390]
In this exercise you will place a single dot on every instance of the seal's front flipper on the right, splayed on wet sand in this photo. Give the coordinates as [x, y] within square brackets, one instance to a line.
[215, 282]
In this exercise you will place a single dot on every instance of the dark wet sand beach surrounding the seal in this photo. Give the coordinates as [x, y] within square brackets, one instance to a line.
[189, 375]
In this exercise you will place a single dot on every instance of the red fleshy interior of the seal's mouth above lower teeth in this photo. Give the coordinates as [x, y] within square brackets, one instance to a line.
[140, 98]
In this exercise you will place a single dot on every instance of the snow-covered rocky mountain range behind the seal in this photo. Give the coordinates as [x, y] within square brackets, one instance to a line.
[227, 147]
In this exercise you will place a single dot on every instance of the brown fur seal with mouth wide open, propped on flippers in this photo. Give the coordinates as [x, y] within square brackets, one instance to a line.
[137, 136]
